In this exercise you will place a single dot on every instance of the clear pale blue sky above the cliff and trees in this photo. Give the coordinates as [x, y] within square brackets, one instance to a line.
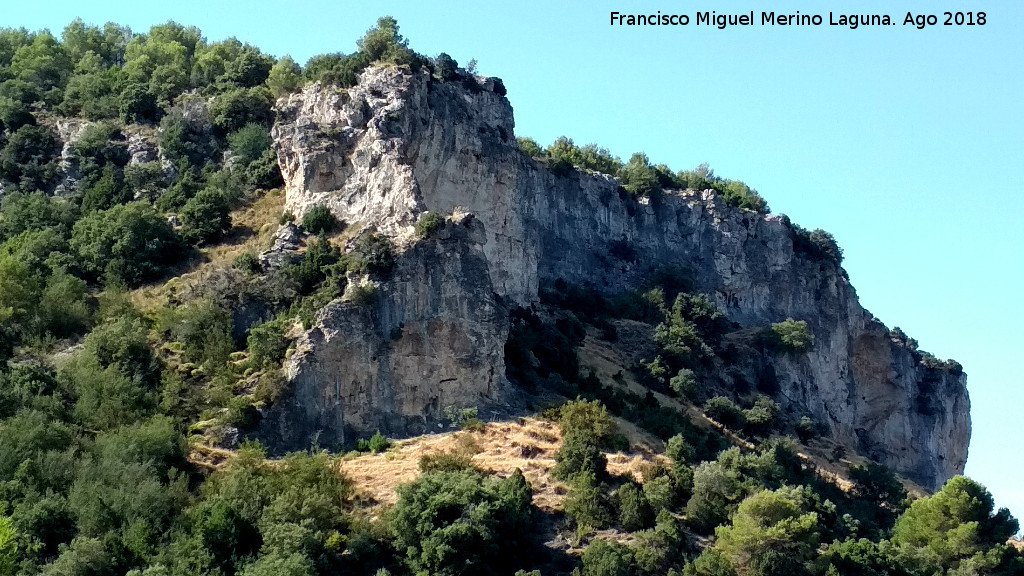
[908, 145]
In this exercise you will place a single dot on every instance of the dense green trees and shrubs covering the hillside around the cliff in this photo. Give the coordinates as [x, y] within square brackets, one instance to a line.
[102, 404]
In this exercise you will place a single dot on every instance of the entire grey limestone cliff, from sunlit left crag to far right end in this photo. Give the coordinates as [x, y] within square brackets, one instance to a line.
[400, 144]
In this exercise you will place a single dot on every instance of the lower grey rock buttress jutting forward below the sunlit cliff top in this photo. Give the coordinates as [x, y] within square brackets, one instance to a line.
[431, 338]
